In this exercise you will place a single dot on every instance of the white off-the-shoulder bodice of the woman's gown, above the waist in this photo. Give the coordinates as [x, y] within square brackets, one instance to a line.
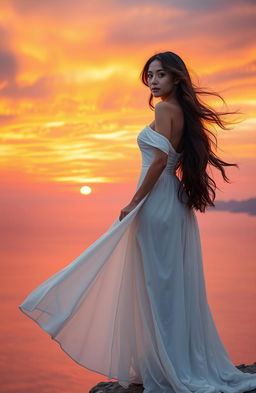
[148, 138]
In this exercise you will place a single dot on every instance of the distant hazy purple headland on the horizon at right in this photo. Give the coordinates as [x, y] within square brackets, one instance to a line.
[244, 206]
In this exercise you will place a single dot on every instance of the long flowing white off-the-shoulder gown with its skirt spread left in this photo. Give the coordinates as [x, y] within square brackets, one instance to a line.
[133, 306]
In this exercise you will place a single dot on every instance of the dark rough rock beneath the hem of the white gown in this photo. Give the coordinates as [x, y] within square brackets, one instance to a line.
[114, 387]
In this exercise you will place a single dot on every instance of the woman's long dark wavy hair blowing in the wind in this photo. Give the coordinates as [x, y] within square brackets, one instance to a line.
[198, 186]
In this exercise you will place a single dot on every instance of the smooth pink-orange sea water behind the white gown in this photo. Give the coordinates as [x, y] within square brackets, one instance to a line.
[31, 362]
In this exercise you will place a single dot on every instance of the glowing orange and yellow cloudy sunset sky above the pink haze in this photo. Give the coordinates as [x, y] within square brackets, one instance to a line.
[71, 100]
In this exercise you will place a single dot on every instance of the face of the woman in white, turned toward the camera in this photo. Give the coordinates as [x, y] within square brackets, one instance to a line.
[159, 81]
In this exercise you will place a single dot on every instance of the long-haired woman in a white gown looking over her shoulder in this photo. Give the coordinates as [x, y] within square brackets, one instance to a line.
[133, 305]
